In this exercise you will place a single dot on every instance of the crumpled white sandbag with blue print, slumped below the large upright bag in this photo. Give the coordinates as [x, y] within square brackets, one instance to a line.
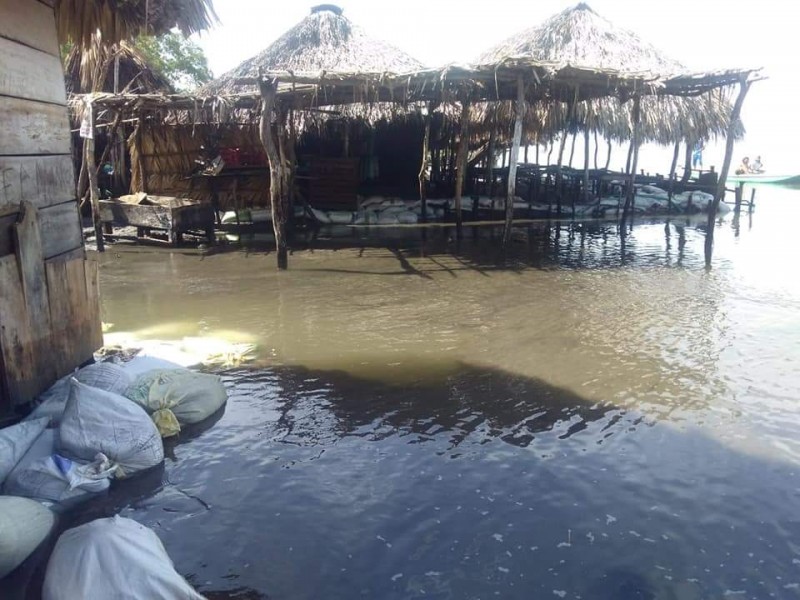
[44, 475]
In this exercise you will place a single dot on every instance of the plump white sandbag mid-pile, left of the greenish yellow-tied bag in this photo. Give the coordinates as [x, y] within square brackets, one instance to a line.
[99, 421]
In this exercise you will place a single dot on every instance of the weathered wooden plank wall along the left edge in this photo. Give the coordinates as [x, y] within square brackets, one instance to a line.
[49, 305]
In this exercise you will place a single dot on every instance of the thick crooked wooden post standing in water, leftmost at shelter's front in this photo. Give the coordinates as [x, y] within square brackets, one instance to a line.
[276, 176]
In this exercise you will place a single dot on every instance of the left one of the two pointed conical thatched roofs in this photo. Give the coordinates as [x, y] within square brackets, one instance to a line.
[324, 42]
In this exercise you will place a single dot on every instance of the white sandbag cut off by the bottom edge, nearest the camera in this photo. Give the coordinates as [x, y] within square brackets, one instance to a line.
[113, 558]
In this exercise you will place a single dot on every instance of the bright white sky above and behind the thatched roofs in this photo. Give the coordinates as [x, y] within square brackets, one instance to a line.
[702, 34]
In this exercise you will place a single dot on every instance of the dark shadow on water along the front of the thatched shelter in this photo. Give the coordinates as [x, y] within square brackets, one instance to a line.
[546, 244]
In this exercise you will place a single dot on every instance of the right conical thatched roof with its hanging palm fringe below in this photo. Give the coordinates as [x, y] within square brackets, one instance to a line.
[580, 37]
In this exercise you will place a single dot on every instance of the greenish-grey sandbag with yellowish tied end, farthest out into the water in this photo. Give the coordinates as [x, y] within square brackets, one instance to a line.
[177, 397]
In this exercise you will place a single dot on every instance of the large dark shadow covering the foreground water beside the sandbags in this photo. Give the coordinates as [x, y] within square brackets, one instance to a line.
[471, 483]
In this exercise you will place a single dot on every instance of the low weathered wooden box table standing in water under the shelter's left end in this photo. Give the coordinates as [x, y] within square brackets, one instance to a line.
[175, 216]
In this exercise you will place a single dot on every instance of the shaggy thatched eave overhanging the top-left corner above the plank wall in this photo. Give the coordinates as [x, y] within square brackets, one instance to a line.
[79, 20]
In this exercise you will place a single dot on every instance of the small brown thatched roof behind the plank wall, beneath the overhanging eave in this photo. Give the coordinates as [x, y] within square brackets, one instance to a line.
[92, 70]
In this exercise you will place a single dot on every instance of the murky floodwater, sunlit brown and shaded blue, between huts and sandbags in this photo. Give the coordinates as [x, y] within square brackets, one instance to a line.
[597, 417]
